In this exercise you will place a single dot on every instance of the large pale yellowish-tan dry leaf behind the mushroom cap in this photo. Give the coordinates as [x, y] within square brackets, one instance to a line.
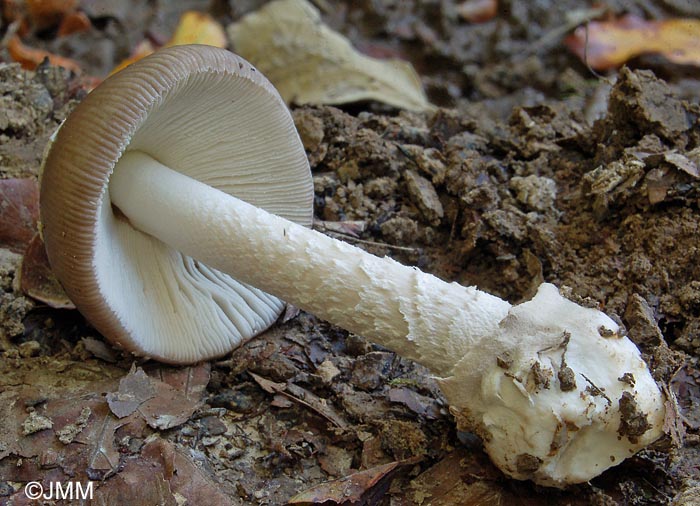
[311, 64]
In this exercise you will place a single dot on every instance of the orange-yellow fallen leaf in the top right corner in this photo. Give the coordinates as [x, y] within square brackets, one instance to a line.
[612, 43]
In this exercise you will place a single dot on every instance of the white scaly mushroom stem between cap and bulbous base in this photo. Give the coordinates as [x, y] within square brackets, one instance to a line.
[411, 312]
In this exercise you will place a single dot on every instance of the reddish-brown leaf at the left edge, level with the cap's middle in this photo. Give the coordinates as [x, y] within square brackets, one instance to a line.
[19, 212]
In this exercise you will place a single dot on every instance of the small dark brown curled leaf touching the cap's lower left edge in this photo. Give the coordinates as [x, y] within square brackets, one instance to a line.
[37, 279]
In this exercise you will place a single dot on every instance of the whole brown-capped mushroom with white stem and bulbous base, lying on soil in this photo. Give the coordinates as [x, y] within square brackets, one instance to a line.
[177, 196]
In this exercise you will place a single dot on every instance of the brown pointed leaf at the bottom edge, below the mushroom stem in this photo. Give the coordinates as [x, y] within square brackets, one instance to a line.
[364, 487]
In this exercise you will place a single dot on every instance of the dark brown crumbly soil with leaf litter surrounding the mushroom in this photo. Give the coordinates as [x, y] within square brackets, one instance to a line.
[524, 175]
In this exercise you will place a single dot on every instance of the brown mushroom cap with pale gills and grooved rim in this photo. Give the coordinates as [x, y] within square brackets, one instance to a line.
[206, 113]
